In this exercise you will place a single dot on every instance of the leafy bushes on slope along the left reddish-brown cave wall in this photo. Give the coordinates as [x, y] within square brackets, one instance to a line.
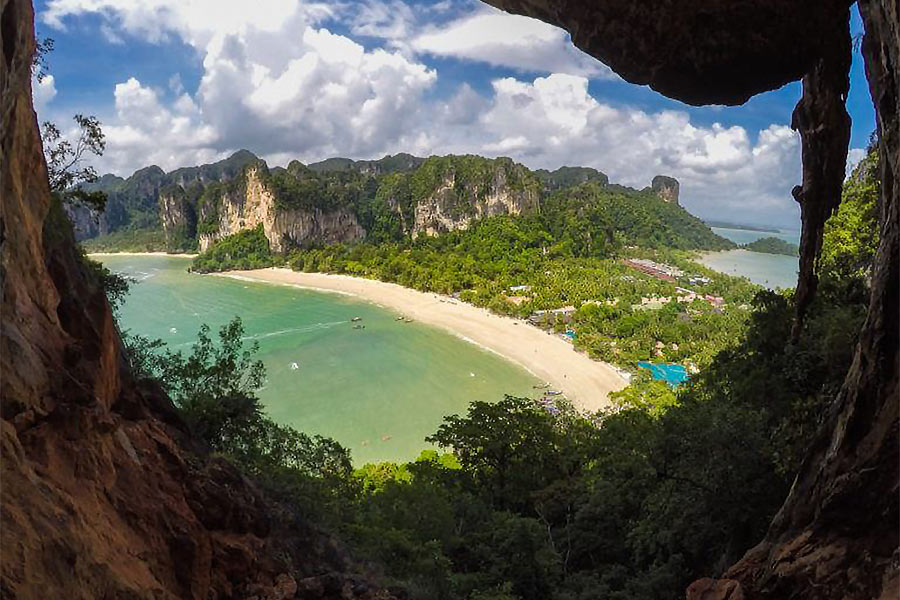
[215, 389]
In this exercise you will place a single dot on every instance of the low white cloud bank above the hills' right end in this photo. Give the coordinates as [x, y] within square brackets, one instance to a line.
[721, 169]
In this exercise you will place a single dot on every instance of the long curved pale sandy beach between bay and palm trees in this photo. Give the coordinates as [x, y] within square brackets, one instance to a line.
[584, 381]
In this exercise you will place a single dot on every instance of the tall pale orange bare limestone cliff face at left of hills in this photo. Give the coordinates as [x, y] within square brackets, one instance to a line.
[252, 203]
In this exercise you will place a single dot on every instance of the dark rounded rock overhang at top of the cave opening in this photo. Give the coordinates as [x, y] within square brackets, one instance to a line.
[697, 51]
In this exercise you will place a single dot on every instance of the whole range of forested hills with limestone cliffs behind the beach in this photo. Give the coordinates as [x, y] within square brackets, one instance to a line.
[392, 199]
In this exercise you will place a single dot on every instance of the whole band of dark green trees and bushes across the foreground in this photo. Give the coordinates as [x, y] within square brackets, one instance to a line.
[538, 504]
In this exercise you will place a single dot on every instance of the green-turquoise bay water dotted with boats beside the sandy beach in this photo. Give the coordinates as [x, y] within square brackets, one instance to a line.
[379, 391]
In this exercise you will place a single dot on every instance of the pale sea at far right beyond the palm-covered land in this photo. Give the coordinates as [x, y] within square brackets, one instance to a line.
[770, 270]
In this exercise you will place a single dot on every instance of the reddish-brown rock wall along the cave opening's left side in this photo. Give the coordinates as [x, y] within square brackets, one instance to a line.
[104, 494]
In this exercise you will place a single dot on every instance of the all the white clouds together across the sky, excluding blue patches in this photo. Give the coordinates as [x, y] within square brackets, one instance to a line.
[276, 83]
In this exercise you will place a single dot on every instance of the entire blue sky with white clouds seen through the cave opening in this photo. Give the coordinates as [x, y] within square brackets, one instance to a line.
[185, 82]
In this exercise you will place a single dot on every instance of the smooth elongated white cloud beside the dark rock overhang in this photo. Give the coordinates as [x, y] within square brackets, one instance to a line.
[512, 41]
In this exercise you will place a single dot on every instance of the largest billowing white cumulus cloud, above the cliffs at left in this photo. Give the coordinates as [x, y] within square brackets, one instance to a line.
[272, 82]
